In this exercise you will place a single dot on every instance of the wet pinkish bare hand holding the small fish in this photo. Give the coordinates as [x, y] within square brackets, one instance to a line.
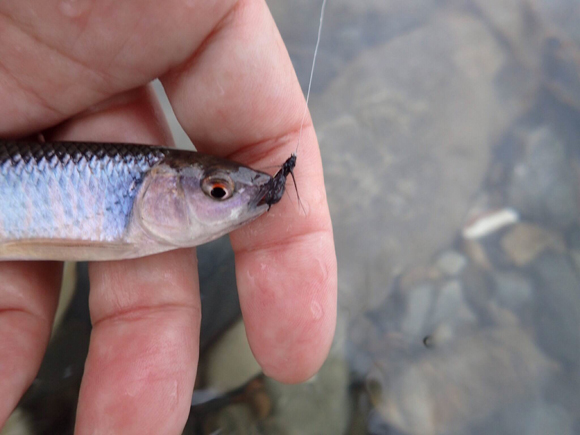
[78, 70]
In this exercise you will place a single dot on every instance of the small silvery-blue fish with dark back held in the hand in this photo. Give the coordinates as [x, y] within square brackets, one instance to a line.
[91, 201]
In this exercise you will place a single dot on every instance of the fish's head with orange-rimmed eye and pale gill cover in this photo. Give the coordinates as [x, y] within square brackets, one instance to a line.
[190, 204]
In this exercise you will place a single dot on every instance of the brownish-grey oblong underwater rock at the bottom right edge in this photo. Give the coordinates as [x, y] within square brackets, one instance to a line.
[453, 387]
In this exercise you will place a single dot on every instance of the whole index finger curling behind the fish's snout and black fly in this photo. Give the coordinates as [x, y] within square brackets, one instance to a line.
[239, 97]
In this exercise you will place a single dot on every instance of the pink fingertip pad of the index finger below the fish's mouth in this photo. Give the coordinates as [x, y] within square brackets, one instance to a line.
[288, 299]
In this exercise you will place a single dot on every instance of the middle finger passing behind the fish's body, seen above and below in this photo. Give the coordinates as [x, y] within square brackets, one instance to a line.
[142, 359]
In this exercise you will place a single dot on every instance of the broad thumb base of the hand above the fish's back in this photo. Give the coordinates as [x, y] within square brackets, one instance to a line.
[58, 57]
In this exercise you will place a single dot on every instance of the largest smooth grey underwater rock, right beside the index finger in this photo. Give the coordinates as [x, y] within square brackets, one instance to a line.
[409, 136]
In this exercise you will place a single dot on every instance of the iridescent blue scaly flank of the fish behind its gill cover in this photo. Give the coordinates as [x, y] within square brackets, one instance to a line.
[70, 190]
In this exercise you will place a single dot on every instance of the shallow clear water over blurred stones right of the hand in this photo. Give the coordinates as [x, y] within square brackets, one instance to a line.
[449, 132]
